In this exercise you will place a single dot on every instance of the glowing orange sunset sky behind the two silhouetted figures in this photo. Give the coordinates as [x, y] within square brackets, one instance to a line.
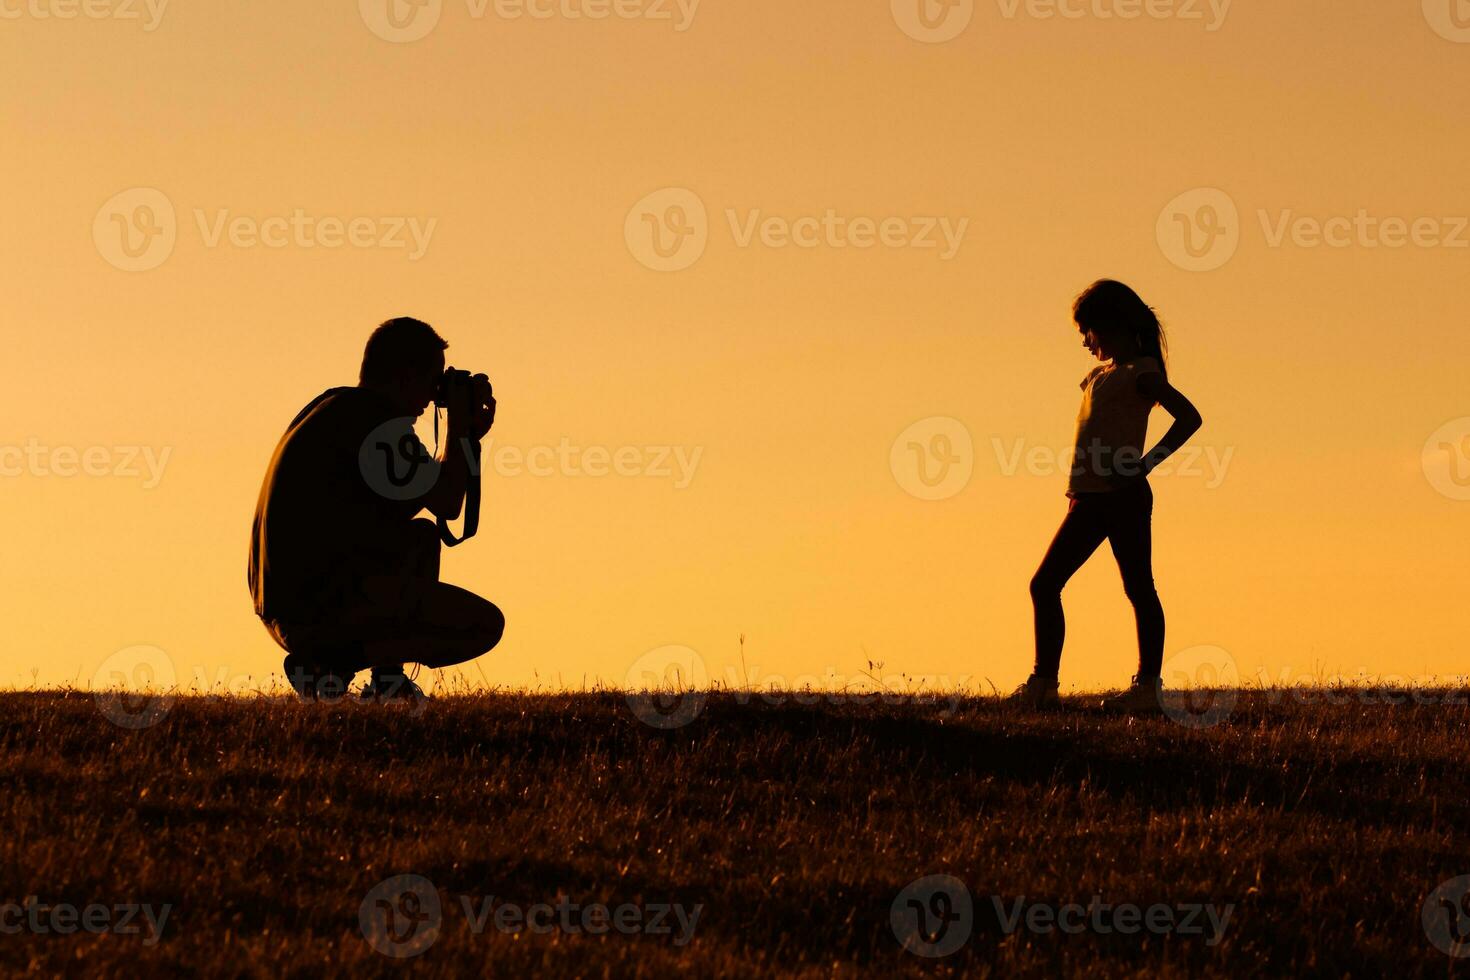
[495, 177]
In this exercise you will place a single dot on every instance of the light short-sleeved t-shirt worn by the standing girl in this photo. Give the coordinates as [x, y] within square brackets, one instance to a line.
[1112, 427]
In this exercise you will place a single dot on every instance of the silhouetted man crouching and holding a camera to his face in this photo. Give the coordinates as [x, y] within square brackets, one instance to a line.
[345, 574]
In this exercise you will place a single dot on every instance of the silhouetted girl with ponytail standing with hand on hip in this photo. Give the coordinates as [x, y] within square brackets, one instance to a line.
[1109, 490]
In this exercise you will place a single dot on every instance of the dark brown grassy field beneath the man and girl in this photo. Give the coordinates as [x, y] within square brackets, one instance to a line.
[562, 835]
